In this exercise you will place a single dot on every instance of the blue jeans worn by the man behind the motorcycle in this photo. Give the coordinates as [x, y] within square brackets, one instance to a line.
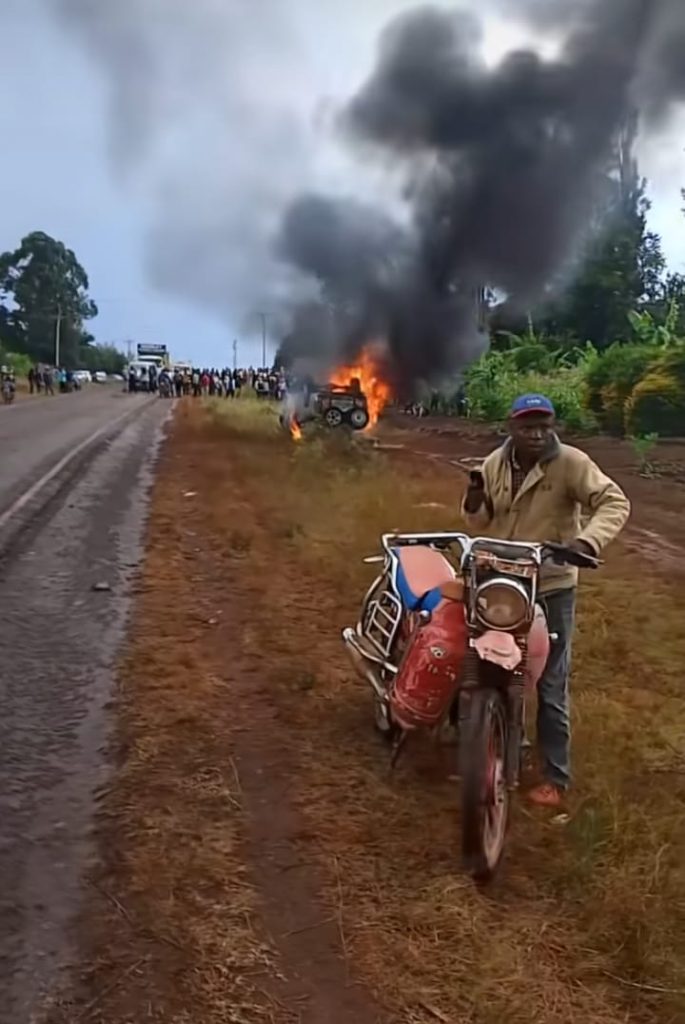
[553, 694]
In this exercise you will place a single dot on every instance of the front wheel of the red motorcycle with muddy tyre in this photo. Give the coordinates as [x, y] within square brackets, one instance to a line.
[486, 799]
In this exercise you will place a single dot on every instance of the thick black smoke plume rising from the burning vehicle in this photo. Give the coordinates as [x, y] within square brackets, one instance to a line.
[504, 166]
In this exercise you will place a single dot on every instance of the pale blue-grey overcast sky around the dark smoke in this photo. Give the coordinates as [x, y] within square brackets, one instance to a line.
[258, 98]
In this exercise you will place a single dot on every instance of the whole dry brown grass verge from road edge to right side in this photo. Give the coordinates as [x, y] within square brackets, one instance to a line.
[587, 923]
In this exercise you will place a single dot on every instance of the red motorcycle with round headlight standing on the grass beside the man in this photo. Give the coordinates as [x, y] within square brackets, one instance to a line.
[460, 645]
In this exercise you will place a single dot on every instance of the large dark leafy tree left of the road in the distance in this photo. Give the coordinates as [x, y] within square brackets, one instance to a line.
[44, 285]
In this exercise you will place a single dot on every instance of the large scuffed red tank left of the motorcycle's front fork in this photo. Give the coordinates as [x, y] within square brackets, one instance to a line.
[432, 668]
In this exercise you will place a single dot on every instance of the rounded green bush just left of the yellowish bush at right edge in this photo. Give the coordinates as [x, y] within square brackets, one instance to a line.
[611, 380]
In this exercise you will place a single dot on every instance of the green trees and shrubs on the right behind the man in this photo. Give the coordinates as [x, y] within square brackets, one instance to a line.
[610, 351]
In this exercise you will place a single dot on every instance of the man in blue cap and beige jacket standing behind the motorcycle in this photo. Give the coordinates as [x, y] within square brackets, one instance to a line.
[535, 489]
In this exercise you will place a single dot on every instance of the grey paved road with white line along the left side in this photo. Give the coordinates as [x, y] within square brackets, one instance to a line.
[65, 587]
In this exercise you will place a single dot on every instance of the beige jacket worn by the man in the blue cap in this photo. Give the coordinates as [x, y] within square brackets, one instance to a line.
[566, 497]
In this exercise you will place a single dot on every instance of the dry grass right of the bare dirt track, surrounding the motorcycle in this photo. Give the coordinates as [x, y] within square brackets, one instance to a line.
[588, 922]
